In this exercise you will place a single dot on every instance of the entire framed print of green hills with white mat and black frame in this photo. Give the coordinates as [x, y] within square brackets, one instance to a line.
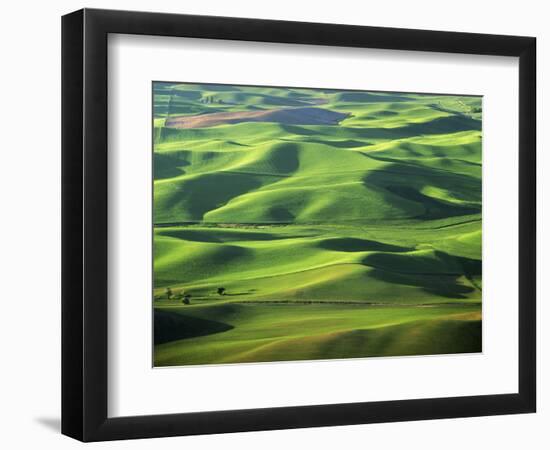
[274, 224]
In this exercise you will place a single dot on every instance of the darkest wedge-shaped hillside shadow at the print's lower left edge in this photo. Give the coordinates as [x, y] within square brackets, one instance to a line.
[171, 326]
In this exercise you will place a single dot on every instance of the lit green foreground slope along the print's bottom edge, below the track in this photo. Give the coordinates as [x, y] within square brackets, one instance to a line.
[267, 332]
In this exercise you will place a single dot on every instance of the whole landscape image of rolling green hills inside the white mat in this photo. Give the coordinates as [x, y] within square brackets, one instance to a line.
[301, 224]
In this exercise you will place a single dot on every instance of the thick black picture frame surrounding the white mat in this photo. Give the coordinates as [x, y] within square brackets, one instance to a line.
[84, 224]
